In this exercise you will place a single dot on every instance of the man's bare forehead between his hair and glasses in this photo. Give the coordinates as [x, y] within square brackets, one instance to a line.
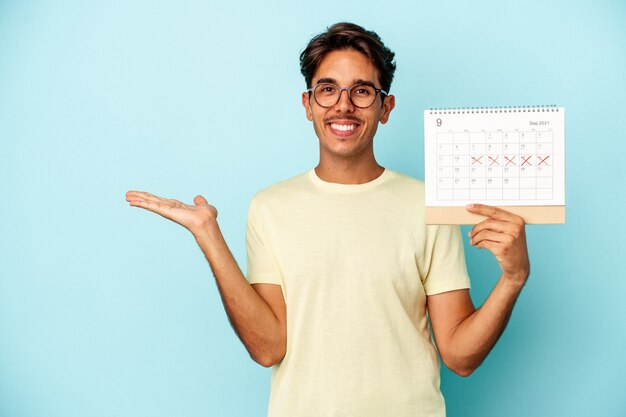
[346, 66]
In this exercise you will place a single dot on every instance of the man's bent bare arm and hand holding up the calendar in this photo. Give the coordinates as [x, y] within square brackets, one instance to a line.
[464, 334]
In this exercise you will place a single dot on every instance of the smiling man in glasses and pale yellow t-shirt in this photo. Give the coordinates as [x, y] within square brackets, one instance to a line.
[343, 271]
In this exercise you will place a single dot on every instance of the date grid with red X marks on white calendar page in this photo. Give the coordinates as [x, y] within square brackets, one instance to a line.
[494, 165]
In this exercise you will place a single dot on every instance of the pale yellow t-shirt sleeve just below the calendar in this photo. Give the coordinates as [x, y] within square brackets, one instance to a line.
[446, 269]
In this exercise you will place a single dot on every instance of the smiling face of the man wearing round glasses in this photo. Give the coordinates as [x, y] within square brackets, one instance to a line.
[344, 130]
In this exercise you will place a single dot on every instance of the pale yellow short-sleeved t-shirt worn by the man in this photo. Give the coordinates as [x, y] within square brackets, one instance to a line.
[355, 263]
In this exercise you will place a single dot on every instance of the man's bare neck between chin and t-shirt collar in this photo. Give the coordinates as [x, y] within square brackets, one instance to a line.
[348, 172]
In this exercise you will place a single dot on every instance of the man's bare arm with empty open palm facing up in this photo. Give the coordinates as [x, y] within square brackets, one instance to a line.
[257, 313]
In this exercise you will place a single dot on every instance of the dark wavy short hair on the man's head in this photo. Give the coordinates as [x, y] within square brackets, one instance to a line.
[346, 35]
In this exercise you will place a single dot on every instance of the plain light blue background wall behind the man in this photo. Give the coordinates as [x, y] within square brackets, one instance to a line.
[107, 310]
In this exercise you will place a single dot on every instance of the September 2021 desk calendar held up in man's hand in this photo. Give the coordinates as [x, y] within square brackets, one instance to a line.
[511, 157]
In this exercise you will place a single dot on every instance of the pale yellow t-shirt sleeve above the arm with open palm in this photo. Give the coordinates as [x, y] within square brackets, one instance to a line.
[261, 268]
